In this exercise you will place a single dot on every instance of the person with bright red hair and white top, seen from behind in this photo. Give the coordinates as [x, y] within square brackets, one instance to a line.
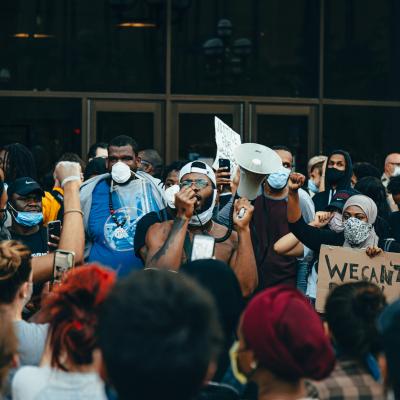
[71, 363]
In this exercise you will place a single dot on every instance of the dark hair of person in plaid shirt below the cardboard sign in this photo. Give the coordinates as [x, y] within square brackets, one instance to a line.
[351, 312]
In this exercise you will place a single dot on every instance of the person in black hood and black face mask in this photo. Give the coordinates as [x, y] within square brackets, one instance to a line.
[339, 170]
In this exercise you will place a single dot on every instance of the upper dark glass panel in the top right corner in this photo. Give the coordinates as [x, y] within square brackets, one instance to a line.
[362, 49]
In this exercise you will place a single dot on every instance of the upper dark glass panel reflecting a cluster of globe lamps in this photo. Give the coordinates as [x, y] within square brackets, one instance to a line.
[252, 47]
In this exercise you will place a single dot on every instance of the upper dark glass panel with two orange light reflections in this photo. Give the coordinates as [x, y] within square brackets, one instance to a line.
[90, 45]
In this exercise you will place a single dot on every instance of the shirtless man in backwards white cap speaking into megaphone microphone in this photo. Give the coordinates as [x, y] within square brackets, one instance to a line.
[167, 242]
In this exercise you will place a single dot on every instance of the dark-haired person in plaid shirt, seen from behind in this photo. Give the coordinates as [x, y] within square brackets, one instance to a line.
[352, 310]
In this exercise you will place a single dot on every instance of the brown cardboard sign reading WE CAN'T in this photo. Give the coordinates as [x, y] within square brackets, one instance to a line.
[338, 265]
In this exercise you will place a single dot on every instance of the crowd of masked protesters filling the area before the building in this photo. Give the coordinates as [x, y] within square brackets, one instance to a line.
[138, 318]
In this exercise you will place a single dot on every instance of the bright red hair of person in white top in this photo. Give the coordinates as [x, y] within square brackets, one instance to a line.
[72, 312]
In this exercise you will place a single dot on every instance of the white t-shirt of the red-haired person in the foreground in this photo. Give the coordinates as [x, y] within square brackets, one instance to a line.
[45, 383]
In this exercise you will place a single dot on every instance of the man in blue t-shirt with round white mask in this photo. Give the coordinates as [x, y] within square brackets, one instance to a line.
[113, 203]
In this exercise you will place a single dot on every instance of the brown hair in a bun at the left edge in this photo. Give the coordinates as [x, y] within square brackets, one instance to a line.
[15, 268]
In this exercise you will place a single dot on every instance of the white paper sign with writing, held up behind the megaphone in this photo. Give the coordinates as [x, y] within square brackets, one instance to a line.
[227, 140]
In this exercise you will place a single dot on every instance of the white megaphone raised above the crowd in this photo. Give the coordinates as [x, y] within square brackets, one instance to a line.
[255, 162]
